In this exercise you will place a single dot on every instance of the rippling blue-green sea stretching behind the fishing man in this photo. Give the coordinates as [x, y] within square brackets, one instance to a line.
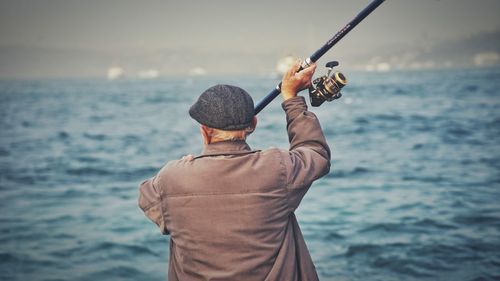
[413, 193]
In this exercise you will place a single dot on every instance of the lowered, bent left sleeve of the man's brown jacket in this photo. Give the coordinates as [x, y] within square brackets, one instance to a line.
[151, 204]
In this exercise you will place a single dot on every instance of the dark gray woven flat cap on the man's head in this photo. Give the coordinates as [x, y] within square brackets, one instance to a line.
[224, 107]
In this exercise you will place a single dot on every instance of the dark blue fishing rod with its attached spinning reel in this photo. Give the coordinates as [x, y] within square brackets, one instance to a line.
[326, 88]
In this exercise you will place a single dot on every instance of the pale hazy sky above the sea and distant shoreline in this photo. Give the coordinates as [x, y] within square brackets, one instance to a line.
[83, 38]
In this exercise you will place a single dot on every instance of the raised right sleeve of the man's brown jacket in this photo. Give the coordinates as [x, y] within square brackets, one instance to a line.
[308, 158]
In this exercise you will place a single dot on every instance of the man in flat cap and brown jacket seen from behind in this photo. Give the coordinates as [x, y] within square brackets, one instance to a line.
[230, 211]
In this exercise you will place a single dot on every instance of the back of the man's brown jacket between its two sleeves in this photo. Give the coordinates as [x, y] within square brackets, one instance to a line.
[229, 219]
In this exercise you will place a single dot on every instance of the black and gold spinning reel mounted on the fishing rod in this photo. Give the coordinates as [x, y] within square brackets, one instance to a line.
[327, 88]
